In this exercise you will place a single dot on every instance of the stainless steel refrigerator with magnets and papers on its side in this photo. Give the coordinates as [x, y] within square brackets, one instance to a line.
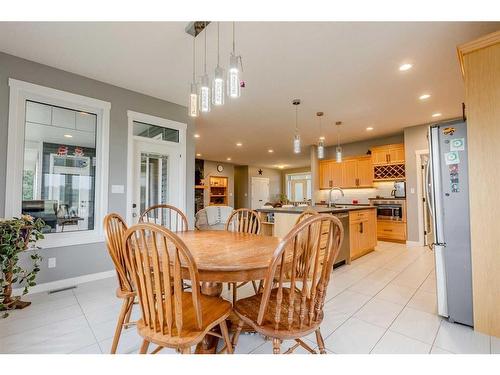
[448, 199]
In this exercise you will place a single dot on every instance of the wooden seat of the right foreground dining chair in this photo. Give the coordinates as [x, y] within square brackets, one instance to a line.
[247, 309]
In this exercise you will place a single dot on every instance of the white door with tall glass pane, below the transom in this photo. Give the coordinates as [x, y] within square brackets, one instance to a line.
[156, 176]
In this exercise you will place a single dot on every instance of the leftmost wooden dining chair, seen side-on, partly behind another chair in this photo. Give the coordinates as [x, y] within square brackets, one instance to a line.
[114, 229]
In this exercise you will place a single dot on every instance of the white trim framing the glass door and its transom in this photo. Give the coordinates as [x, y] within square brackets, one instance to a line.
[158, 121]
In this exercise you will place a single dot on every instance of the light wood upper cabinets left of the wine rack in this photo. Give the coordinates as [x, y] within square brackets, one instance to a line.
[353, 172]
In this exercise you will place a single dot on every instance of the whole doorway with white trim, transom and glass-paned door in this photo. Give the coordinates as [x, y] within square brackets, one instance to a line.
[157, 166]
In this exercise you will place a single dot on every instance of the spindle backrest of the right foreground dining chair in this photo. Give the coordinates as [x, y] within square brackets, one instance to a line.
[304, 287]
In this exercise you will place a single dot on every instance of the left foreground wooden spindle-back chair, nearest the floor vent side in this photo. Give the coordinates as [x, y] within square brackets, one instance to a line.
[171, 317]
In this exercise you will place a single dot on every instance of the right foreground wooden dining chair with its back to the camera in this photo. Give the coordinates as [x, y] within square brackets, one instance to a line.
[293, 309]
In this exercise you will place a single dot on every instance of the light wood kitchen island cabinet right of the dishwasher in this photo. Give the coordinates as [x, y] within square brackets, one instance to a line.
[362, 232]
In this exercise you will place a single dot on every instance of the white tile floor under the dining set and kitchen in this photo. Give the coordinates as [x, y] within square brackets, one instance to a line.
[383, 302]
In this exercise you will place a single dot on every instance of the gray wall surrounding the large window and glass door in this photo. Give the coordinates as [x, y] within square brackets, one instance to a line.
[86, 259]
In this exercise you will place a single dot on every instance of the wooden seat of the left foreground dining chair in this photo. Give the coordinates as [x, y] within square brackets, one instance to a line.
[214, 311]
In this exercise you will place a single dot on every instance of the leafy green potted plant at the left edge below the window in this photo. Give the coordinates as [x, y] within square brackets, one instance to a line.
[16, 235]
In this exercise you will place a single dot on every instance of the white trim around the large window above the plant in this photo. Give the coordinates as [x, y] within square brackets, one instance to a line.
[21, 91]
